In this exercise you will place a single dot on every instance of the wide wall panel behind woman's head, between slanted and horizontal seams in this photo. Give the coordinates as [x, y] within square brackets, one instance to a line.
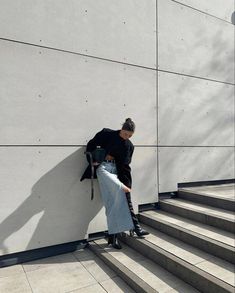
[50, 97]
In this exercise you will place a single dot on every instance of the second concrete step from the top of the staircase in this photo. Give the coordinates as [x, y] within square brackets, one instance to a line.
[205, 214]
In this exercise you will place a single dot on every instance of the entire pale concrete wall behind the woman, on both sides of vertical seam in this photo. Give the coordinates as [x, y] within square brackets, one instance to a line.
[70, 68]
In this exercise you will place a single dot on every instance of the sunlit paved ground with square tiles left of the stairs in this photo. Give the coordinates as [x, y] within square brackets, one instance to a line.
[78, 272]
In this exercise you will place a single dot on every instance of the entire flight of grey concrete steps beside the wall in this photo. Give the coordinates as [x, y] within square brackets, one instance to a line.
[190, 247]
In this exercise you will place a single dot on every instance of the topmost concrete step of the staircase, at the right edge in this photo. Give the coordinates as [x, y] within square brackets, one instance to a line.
[217, 196]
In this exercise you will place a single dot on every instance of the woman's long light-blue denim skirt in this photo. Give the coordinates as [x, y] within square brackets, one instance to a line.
[114, 199]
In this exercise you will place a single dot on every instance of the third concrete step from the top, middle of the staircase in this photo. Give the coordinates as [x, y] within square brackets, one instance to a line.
[209, 239]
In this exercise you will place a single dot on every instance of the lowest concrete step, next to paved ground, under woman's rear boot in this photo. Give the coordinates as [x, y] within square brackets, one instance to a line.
[140, 273]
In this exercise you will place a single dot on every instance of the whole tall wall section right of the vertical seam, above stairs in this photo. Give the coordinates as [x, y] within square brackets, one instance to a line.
[195, 91]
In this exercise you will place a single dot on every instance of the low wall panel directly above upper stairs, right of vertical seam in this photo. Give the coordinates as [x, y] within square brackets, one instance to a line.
[191, 164]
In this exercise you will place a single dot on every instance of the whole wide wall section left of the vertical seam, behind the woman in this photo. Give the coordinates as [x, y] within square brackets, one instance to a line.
[68, 69]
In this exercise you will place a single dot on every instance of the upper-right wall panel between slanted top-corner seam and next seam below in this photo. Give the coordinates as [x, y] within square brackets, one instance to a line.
[194, 43]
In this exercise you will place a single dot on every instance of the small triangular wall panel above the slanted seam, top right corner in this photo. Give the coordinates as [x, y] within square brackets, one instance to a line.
[218, 8]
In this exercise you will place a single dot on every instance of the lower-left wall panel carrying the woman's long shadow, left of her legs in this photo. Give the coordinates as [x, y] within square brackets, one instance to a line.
[55, 206]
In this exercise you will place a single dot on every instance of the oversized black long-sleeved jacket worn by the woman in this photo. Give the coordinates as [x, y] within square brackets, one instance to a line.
[117, 147]
